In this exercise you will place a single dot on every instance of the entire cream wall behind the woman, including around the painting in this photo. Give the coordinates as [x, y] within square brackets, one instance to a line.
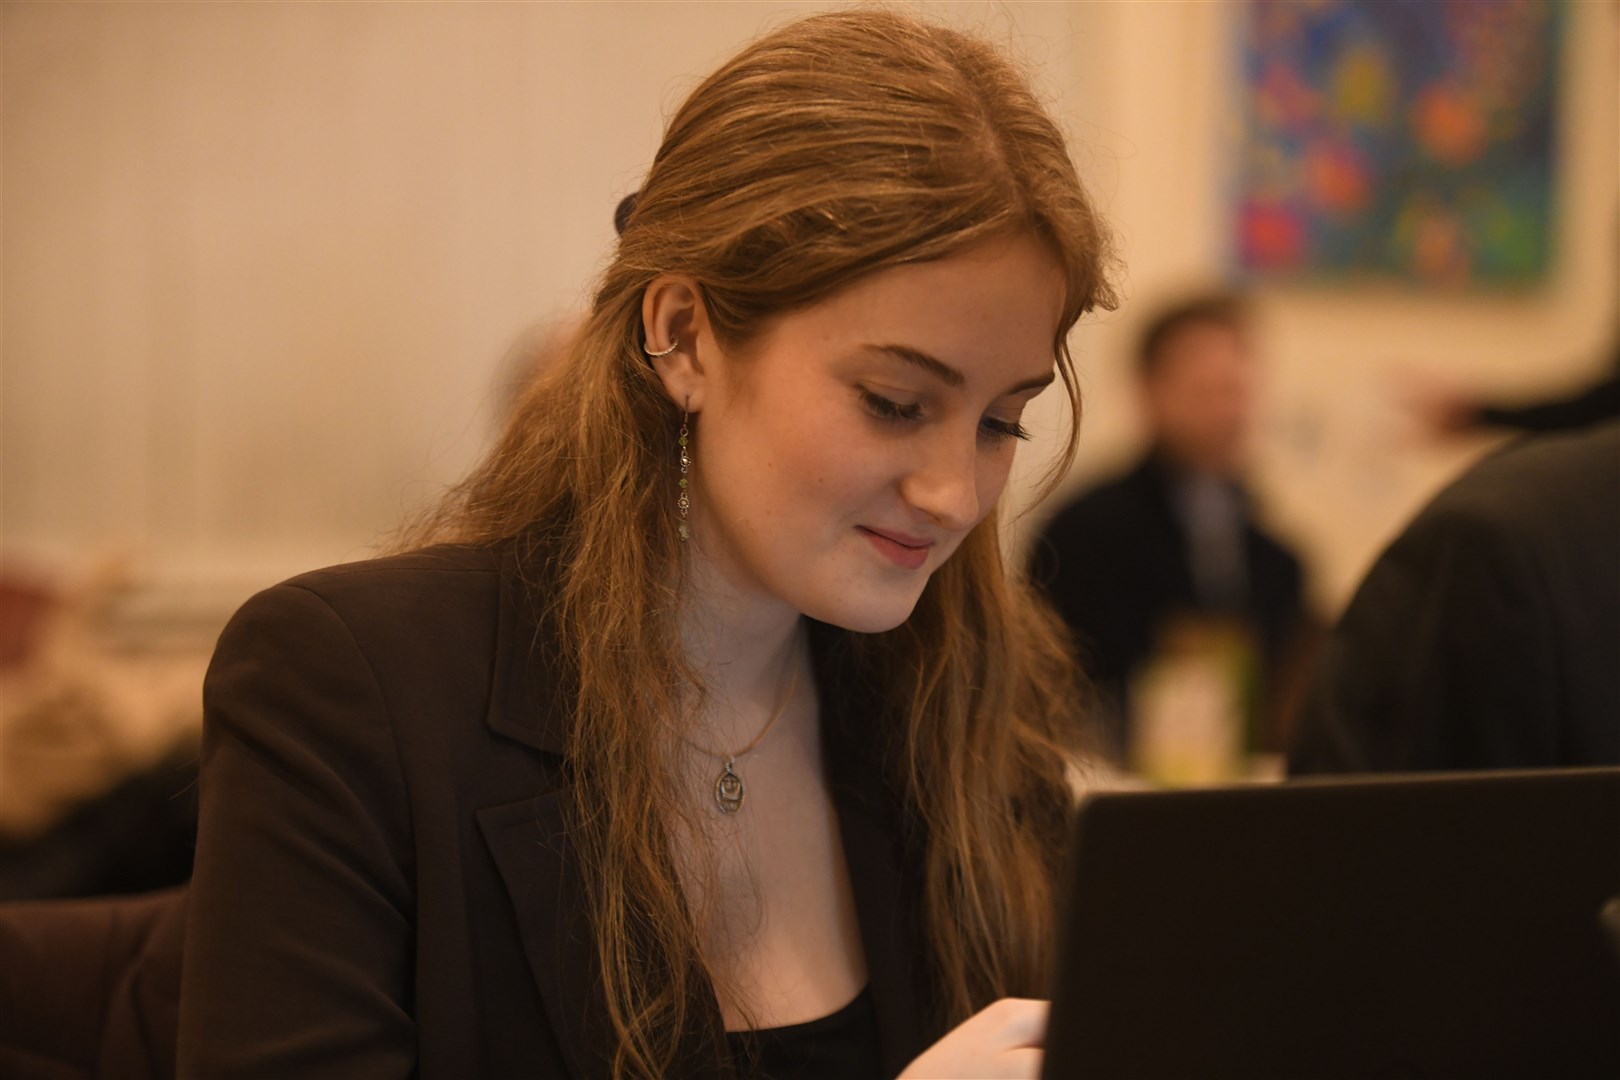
[262, 261]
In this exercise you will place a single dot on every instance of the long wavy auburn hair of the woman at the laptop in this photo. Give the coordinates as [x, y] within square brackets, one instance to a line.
[833, 148]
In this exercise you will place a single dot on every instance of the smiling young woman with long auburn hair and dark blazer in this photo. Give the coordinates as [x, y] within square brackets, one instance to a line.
[704, 733]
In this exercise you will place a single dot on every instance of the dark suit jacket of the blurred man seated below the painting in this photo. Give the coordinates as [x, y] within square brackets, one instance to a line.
[1115, 564]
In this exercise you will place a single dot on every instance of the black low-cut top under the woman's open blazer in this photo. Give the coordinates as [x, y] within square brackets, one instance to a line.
[838, 1045]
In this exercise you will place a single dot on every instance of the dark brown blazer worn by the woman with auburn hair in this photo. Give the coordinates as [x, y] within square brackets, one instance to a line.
[385, 880]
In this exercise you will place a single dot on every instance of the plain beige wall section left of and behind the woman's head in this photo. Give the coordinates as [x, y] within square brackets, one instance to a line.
[262, 261]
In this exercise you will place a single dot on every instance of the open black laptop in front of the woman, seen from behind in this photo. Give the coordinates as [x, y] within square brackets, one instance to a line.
[1375, 927]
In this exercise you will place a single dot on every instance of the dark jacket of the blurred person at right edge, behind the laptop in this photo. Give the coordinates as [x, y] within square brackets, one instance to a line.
[1490, 634]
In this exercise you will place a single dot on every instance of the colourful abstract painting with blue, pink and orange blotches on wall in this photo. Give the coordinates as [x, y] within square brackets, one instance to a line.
[1399, 138]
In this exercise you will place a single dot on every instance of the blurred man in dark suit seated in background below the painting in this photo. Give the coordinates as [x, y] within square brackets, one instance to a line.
[1148, 561]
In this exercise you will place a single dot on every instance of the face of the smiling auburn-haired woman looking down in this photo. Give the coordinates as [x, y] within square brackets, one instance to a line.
[843, 461]
